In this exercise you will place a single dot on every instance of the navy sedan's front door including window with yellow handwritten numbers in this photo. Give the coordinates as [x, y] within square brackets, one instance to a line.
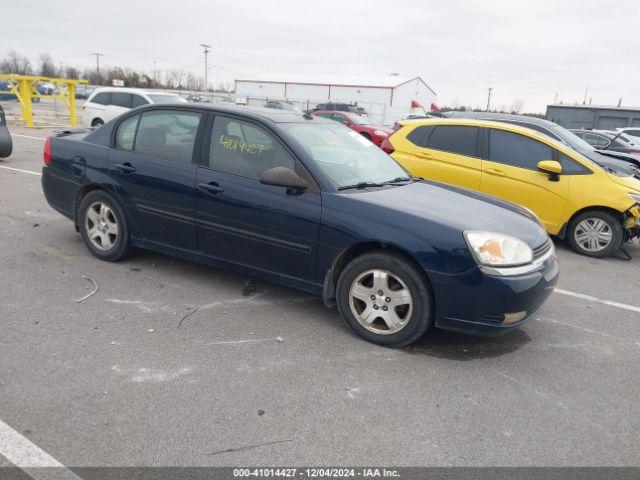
[246, 222]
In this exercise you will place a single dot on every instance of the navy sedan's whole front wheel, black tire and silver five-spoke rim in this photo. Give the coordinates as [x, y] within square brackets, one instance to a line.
[361, 279]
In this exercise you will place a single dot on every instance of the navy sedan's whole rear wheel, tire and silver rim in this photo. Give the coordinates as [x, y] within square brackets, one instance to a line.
[103, 226]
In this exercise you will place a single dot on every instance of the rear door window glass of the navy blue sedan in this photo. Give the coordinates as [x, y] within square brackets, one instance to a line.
[167, 134]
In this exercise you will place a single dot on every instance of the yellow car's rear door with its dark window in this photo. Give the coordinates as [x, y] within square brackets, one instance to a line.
[444, 153]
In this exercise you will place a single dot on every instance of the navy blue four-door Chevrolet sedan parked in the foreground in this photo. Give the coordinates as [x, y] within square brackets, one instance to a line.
[308, 203]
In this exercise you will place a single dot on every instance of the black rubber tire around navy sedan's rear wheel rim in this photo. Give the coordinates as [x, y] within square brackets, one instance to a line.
[121, 242]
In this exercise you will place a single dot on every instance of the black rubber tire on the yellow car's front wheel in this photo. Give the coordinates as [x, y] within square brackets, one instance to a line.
[595, 217]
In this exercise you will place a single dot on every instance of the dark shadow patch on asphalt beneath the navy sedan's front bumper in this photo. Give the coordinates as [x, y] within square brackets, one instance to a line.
[457, 346]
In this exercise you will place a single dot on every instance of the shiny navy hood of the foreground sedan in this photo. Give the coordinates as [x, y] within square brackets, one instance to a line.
[454, 207]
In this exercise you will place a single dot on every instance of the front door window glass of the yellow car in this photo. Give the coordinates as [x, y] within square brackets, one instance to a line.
[517, 150]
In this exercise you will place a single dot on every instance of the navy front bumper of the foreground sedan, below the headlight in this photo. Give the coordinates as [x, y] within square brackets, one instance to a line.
[478, 303]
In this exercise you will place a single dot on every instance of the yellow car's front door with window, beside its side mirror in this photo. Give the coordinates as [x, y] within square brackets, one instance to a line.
[510, 172]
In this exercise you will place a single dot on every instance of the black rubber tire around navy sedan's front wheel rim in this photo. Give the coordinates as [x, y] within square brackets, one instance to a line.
[421, 313]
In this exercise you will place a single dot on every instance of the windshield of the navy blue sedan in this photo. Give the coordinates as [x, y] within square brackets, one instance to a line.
[346, 157]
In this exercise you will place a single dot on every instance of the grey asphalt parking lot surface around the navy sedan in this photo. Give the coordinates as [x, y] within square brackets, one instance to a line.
[173, 363]
